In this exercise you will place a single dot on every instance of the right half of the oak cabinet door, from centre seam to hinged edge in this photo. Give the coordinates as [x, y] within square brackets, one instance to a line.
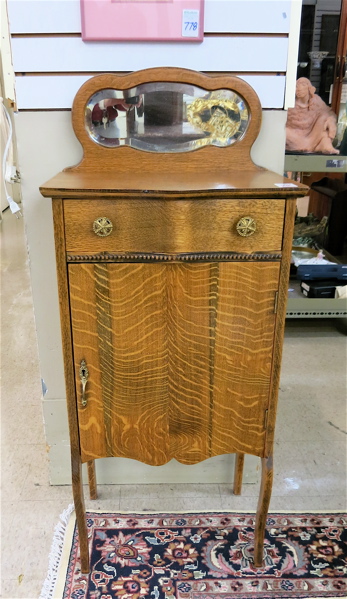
[221, 351]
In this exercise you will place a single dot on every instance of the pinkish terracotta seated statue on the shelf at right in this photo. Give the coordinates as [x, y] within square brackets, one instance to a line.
[311, 124]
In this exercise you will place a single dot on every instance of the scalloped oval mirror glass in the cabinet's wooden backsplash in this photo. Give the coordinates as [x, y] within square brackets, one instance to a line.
[166, 117]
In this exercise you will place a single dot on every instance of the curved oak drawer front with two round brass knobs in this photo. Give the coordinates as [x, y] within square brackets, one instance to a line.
[172, 226]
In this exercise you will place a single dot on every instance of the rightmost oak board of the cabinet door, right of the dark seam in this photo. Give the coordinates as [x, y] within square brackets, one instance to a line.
[243, 356]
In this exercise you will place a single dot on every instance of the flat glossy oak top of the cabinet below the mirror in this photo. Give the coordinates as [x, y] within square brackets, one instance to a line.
[254, 183]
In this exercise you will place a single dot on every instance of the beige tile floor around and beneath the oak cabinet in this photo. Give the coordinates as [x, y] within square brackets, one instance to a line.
[310, 452]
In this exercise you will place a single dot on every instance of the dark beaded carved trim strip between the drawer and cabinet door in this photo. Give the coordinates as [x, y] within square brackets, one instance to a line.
[196, 257]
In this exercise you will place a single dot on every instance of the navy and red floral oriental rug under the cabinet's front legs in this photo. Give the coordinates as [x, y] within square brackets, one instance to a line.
[205, 556]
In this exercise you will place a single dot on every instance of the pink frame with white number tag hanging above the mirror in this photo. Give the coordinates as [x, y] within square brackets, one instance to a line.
[160, 20]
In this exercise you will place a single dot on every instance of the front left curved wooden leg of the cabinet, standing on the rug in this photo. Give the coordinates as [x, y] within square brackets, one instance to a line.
[77, 490]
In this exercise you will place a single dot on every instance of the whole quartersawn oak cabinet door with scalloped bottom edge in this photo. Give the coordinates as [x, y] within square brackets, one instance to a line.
[179, 358]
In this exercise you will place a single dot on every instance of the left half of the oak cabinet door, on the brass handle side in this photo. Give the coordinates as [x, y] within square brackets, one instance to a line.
[118, 317]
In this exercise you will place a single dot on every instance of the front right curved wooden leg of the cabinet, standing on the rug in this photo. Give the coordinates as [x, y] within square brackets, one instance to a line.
[263, 507]
